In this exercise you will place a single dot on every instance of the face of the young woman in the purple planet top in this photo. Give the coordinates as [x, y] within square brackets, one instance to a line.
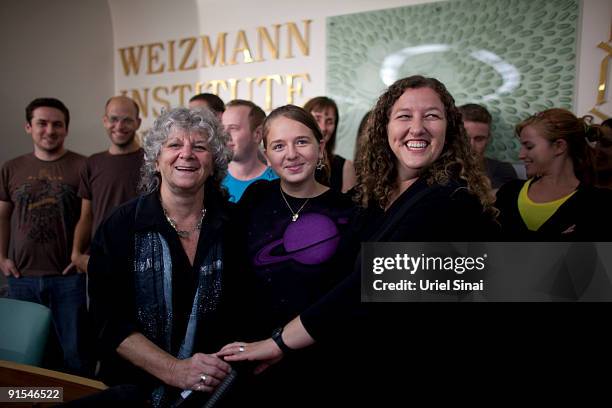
[293, 151]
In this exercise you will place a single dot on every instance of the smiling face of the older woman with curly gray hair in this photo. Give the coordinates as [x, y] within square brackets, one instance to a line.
[184, 161]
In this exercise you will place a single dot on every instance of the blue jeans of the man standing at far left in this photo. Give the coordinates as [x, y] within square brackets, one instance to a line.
[66, 297]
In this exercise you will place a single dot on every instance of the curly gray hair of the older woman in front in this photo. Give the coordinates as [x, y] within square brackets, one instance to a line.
[198, 120]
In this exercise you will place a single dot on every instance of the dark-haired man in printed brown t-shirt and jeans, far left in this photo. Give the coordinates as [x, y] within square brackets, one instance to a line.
[39, 209]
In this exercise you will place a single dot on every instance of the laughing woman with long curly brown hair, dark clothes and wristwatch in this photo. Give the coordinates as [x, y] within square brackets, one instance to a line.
[417, 181]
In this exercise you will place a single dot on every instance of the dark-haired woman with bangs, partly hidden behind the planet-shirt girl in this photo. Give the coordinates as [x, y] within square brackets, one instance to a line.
[342, 171]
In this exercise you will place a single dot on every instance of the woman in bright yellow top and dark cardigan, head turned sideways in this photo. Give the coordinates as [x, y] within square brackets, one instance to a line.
[558, 202]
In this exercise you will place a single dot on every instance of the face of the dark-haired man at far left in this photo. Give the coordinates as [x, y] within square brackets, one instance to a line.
[48, 130]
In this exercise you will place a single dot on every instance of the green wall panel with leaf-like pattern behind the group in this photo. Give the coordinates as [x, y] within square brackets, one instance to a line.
[516, 57]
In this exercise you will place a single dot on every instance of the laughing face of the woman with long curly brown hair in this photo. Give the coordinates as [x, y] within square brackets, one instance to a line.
[416, 131]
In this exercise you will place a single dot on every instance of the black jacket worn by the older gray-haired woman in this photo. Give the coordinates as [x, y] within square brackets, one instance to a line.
[113, 293]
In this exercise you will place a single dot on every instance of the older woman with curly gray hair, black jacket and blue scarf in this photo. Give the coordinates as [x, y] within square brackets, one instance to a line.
[158, 267]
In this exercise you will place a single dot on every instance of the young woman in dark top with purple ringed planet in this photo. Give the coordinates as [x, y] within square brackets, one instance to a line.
[293, 227]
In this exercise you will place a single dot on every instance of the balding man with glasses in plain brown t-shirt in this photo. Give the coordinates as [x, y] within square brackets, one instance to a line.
[109, 178]
